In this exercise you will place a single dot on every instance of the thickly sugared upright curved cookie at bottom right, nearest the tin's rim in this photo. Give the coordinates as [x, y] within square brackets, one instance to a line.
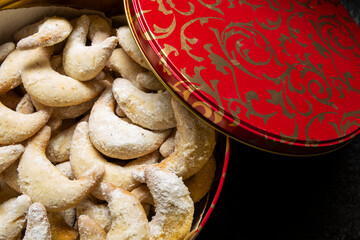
[174, 208]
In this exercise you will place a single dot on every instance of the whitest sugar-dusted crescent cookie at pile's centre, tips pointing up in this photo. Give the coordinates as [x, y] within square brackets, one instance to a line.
[117, 138]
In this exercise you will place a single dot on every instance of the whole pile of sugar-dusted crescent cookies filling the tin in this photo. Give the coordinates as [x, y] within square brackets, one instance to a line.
[91, 144]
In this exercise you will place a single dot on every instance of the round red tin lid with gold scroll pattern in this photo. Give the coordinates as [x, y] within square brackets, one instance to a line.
[279, 75]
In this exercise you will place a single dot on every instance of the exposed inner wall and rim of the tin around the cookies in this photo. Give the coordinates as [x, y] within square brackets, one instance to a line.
[35, 10]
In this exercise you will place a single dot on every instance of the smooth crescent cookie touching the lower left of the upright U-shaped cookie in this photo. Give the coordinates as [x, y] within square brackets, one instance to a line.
[50, 88]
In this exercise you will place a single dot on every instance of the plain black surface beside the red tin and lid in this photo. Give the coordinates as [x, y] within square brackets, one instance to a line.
[267, 196]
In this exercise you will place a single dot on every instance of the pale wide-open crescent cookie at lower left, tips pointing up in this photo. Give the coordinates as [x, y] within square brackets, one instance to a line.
[37, 175]
